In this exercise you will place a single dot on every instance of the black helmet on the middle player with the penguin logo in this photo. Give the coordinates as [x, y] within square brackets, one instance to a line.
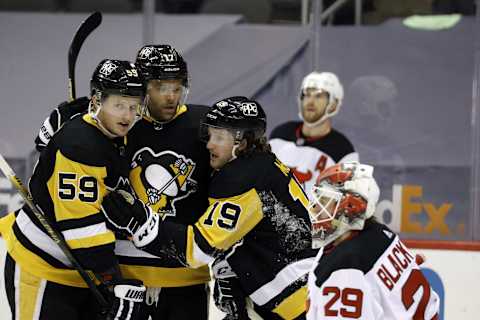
[162, 62]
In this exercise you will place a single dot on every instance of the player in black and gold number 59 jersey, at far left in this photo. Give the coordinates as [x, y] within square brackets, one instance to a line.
[82, 163]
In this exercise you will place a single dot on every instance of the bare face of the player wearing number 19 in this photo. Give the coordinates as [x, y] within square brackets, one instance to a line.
[220, 145]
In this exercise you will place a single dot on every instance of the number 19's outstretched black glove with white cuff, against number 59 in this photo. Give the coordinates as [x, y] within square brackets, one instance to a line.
[128, 215]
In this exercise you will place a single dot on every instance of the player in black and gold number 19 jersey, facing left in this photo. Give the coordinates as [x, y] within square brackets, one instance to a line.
[256, 230]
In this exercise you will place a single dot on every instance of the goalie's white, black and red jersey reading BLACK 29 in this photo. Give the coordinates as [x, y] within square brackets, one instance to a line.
[370, 276]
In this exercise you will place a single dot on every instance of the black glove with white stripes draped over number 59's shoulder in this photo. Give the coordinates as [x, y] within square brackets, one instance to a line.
[57, 118]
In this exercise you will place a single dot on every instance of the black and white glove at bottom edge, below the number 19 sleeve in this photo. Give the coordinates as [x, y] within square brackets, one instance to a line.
[227, 292]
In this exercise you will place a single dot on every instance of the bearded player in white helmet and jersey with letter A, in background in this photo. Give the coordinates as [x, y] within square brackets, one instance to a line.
[311, 145]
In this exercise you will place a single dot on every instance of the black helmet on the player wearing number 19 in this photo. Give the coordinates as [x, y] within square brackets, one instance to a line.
[240, 115]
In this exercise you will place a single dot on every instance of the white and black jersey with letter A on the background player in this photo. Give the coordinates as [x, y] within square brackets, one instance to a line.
[307, 157]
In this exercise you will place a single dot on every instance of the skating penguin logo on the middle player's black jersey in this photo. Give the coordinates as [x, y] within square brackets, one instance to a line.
[161, 179]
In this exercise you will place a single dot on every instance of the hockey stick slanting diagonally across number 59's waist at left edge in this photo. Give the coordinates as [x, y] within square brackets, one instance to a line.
[54, 234]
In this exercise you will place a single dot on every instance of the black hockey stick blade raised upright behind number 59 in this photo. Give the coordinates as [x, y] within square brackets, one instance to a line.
[85, 28]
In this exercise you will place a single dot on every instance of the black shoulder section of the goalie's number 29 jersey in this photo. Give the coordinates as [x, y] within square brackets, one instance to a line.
[360, 253]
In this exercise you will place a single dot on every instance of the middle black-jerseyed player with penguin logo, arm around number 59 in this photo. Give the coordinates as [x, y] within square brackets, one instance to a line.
[169, 170]
